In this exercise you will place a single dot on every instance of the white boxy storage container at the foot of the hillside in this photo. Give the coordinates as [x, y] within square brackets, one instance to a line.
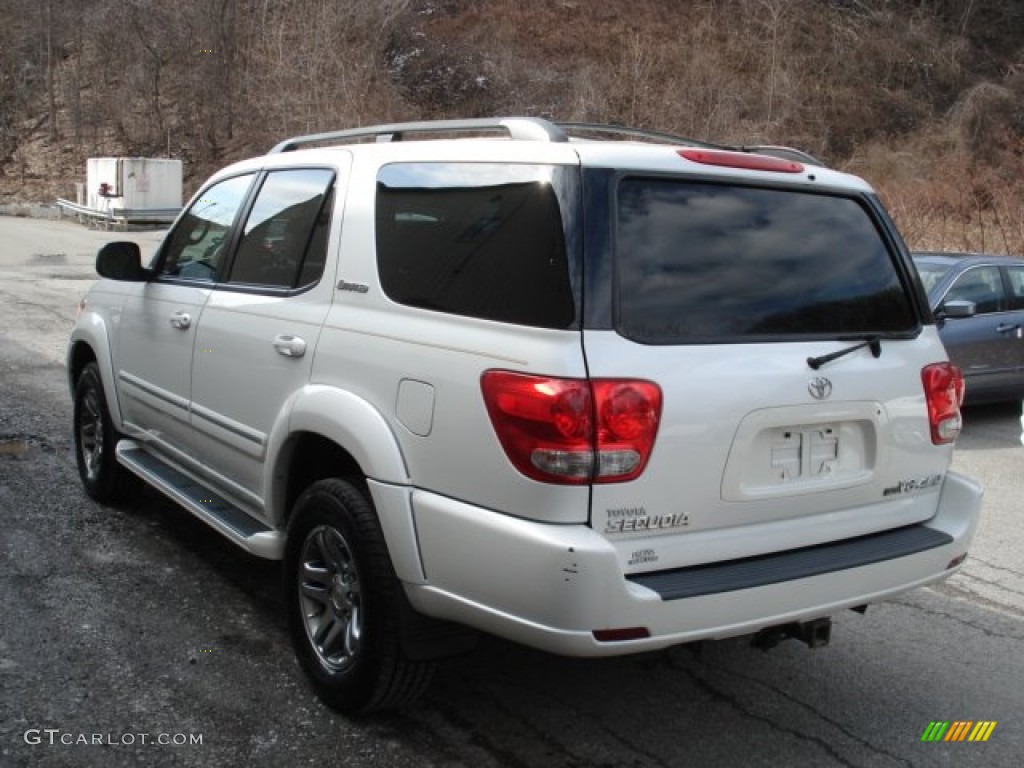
[134, 184]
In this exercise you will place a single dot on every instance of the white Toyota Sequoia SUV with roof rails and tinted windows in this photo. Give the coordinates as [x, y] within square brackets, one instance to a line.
[595, 396]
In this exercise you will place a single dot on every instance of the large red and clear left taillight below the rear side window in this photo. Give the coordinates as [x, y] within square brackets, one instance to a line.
[574, 431]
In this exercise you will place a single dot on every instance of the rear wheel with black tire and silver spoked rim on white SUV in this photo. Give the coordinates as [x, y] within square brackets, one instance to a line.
[346, 605]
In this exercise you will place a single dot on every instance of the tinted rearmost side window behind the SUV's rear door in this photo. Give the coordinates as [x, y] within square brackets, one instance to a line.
[481, 240]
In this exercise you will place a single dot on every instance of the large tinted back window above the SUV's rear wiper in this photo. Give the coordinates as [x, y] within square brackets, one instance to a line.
[701, 263]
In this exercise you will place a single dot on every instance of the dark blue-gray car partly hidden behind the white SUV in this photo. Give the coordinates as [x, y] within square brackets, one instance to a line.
[989, 343]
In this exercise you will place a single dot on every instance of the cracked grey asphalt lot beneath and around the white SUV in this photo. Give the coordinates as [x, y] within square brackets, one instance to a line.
[139, 637]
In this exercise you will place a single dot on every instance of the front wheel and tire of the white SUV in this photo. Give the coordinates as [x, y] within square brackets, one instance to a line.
[96, 442]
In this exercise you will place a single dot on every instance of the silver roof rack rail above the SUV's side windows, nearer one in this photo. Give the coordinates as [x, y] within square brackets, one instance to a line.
[532, 130]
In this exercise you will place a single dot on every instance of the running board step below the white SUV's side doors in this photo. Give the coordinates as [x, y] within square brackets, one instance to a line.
[210, 507]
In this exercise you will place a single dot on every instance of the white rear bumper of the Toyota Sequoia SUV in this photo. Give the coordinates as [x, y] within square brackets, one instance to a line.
[551, 586]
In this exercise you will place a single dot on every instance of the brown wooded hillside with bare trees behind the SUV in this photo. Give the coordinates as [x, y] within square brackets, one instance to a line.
[924, 98]
